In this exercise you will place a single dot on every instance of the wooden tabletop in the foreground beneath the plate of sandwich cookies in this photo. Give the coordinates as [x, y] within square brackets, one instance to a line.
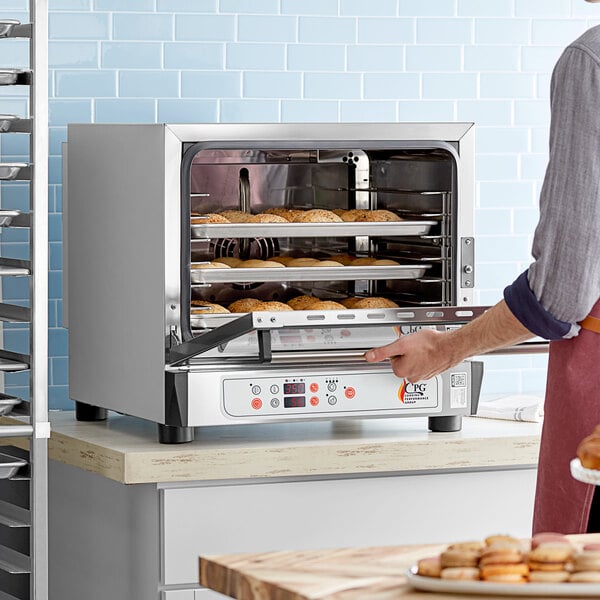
[344, 574]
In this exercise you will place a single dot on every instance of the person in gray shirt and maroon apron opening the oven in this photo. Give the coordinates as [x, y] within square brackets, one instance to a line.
[556, 298]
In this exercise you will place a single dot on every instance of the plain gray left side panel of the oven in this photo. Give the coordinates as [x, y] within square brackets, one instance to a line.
[116, 262]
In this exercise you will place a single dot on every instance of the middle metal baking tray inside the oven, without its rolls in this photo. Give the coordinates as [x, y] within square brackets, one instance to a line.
[341, 273]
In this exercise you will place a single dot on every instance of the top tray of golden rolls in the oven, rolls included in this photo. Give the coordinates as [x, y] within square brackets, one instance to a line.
[283, 222]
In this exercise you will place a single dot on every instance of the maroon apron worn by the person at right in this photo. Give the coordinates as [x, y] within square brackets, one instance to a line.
[571, 411]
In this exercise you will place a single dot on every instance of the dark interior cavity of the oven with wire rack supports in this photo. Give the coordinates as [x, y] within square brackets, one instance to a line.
[418, 184]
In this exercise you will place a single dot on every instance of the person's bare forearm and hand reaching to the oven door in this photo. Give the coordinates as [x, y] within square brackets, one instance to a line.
[426, 353]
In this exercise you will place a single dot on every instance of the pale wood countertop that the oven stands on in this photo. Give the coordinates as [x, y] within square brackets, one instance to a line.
[126, 449]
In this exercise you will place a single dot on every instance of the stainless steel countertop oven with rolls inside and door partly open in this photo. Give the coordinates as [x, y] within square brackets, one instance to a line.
[222, 274]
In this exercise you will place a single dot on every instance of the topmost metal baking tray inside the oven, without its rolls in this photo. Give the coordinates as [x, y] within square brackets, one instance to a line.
[251, 230]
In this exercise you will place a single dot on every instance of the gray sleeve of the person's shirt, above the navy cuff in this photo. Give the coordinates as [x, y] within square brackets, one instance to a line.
[565, 274]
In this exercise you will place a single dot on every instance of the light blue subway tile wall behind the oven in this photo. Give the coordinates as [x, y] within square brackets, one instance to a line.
[300, 61]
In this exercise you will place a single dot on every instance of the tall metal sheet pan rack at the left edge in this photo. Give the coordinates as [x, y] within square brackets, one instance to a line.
[24, 483]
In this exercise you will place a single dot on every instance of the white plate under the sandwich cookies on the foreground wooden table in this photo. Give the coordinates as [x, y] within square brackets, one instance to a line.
[489, 588]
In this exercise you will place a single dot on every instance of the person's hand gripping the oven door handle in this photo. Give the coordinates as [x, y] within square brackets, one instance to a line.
[416, 356]
